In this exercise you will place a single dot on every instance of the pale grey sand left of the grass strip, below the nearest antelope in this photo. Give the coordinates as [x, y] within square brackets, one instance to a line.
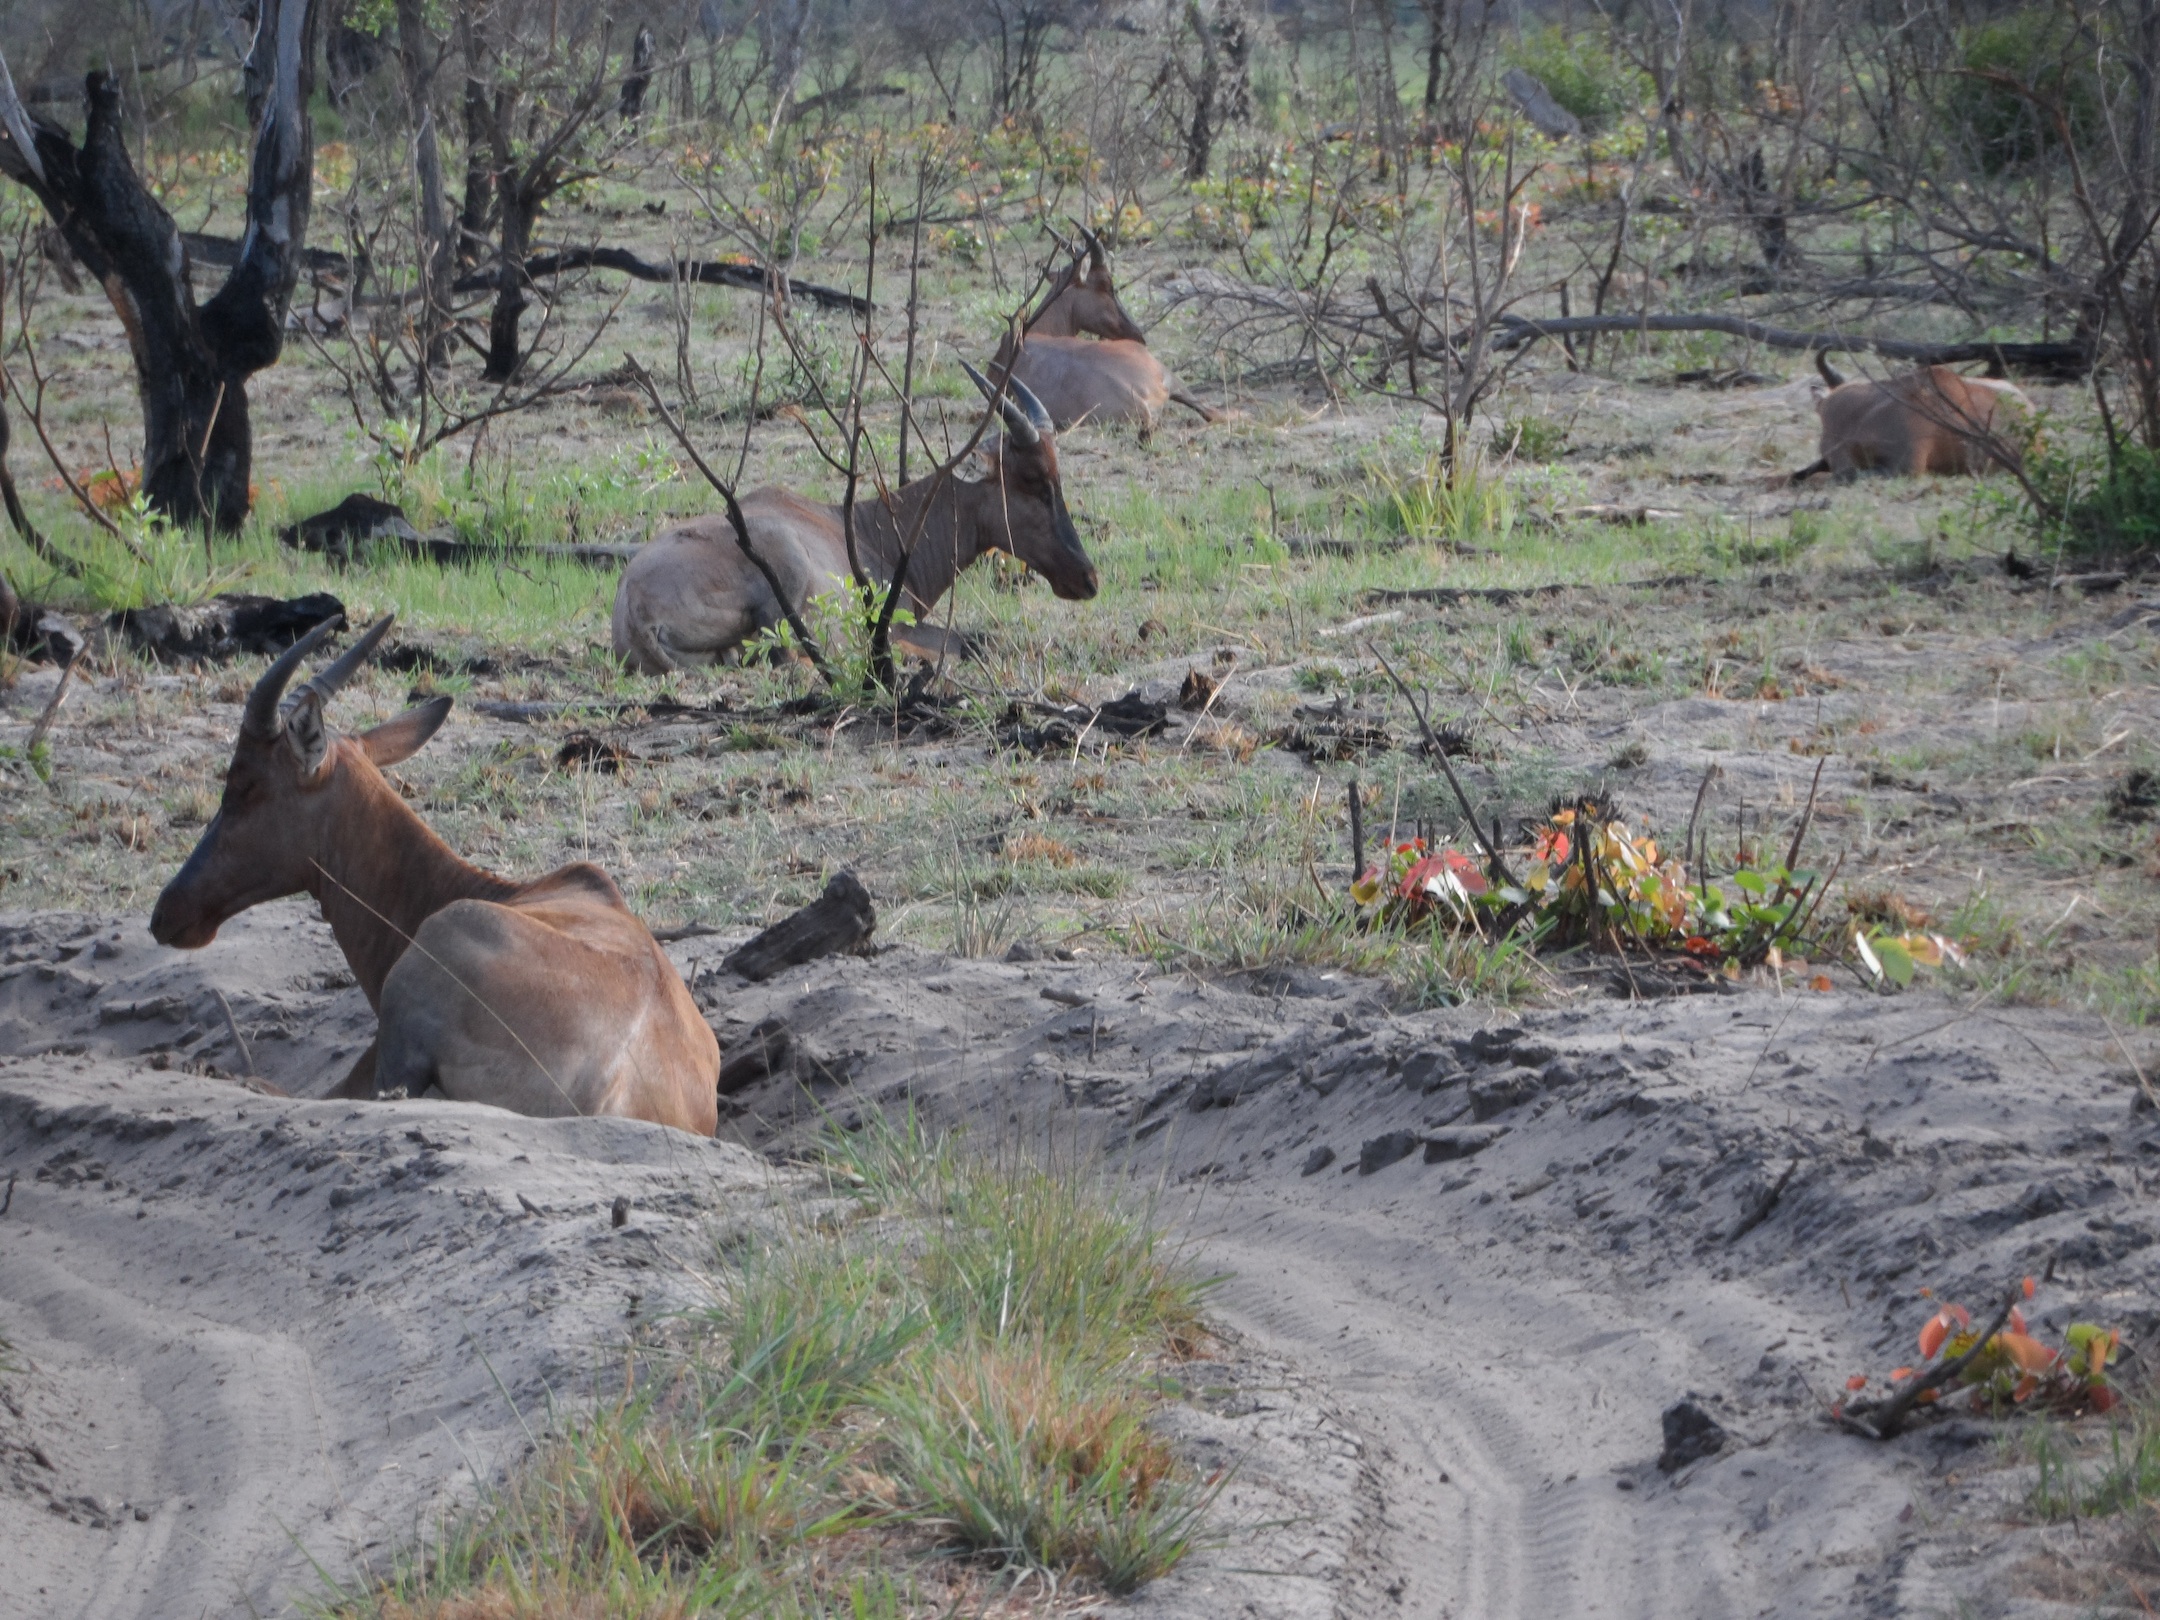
[258, 1336]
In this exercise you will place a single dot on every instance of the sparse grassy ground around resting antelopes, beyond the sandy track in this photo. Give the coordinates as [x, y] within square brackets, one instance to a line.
[1861, 625]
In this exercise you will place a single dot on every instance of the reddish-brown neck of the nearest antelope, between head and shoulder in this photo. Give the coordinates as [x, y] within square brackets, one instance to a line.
[383, 872]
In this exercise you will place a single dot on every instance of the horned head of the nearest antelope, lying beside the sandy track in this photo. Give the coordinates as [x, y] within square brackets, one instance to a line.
[288, 794]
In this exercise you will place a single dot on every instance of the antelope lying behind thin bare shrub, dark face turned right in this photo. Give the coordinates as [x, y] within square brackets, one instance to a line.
[692, 597]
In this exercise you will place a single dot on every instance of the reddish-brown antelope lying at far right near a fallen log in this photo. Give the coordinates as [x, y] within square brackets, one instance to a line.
[1923, 422]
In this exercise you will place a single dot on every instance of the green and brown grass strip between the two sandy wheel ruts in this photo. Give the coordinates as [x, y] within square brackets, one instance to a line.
[936, 1386]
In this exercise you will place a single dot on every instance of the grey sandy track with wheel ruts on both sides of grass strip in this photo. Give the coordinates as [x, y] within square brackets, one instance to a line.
[1442, 1381]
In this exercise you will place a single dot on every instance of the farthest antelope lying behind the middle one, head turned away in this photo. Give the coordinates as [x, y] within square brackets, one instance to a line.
[1109, 377]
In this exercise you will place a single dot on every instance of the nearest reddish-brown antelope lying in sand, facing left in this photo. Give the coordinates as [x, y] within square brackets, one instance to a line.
[545, 999]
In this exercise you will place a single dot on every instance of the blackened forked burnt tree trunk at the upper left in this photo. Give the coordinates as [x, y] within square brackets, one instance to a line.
[191, 362]
